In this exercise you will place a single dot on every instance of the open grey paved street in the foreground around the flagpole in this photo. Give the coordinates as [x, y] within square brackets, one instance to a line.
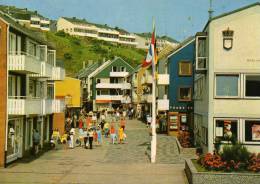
[126, 163]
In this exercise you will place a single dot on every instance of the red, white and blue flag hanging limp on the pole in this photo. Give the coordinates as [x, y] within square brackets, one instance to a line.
[151, 57]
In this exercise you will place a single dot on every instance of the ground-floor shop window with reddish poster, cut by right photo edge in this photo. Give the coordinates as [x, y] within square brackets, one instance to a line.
[252, 130]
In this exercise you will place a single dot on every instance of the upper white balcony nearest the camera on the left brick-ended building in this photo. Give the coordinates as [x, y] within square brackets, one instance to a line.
[24, 63]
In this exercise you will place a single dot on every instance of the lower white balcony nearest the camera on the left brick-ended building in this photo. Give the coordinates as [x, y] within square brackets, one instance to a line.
[24, 105]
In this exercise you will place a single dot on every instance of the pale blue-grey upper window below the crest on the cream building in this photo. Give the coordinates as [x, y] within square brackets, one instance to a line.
[227, 85]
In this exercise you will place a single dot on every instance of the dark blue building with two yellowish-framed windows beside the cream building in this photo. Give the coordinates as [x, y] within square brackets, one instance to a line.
[180, 91]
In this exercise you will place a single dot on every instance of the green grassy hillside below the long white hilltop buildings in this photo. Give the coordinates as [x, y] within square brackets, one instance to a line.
[74, 50]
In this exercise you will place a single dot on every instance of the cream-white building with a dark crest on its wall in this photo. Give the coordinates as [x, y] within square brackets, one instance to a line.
[227, 83]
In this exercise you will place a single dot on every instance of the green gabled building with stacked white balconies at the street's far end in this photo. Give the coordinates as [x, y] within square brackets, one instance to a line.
[107, 85]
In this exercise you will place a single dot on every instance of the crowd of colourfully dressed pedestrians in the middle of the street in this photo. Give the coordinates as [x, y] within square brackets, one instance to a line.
[91, 128]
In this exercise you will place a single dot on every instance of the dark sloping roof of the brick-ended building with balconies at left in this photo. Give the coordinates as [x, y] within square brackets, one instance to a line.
[28, 32]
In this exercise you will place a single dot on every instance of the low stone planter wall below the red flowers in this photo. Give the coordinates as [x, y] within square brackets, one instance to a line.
[196, 177]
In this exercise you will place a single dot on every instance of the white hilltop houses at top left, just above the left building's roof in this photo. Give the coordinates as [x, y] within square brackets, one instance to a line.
[30, 19]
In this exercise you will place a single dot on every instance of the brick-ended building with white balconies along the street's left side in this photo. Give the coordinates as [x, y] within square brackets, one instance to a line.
[28, 71]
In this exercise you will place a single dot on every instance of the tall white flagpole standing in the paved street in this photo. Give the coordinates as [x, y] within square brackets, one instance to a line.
[153, 125]
